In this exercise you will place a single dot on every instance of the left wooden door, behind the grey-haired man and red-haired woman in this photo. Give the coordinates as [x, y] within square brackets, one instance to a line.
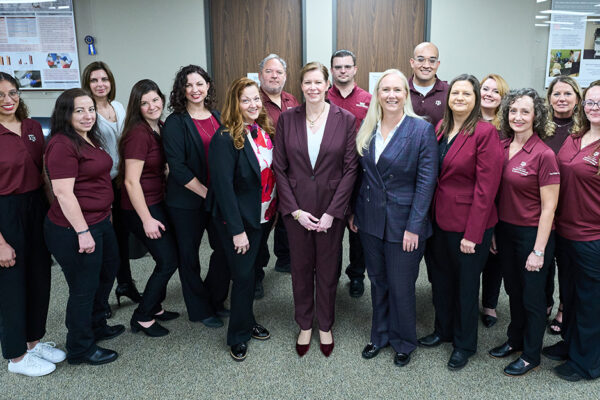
[244, 32]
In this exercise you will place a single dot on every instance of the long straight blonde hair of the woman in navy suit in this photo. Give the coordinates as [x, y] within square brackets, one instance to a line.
[375, 113]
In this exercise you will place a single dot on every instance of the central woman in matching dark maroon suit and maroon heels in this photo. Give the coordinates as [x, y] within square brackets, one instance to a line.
[315, 167]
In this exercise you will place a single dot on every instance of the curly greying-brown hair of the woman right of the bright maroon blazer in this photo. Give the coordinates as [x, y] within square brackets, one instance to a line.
[541, 123]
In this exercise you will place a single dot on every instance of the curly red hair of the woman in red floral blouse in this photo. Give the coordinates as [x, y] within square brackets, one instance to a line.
[231, 117]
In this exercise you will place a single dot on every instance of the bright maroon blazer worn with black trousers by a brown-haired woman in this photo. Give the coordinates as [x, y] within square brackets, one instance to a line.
[468, 182]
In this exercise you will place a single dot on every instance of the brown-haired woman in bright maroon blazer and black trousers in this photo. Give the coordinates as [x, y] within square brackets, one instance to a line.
[464, 212]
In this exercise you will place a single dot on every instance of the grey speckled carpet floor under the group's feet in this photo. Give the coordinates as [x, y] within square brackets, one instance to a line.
[193, 362]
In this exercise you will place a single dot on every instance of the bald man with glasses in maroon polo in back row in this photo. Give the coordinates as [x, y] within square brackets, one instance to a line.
[427, 92]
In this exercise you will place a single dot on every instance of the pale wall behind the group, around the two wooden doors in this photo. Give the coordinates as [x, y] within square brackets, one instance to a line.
[152, 38]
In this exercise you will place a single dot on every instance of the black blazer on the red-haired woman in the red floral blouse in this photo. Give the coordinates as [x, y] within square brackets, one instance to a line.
[235, 192]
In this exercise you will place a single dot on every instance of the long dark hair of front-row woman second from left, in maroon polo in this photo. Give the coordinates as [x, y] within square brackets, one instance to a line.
[60, 122]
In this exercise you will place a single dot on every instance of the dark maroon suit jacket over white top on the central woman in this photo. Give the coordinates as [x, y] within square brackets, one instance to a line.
[327, 188]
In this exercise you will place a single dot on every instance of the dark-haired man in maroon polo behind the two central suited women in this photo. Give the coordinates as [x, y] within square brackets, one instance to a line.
[346, 94]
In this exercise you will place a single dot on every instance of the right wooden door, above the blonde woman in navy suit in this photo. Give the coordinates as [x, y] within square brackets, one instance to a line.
[382, 34]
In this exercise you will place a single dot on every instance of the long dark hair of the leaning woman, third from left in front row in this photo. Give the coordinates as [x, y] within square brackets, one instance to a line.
[133, 116]
